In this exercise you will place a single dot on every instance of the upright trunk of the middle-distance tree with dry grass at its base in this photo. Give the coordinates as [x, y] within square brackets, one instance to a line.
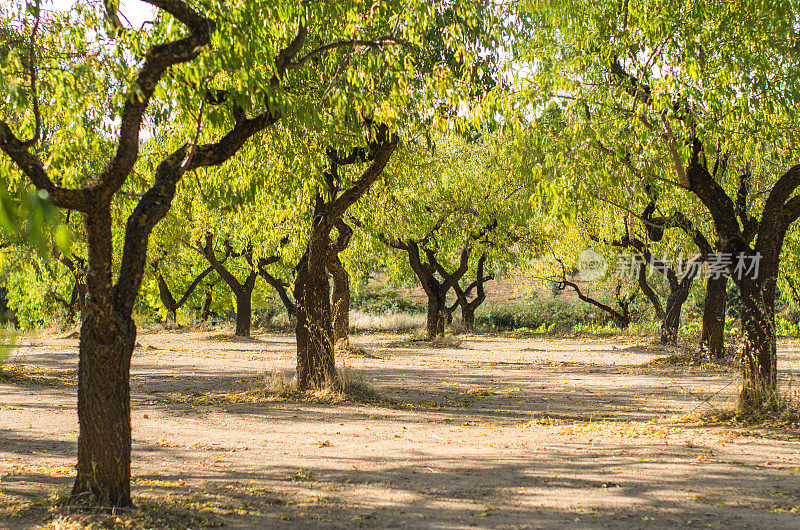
[316, 367]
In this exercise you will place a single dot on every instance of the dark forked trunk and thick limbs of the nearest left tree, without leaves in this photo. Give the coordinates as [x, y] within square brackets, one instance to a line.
[108, 333]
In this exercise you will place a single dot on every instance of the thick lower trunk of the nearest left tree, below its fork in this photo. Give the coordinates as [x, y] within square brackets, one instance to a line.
[104, 415]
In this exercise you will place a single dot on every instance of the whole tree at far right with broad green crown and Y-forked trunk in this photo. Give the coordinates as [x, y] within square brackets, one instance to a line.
[669, 94]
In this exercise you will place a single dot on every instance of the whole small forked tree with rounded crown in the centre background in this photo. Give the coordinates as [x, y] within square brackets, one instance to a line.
[449, 213]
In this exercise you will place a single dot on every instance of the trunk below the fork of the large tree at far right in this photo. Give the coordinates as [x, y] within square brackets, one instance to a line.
[759, 358]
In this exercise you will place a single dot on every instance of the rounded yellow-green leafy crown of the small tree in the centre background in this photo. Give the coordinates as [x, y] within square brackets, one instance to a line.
[449, 195]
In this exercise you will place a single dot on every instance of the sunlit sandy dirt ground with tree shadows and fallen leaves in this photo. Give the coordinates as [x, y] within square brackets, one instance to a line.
[489, 431]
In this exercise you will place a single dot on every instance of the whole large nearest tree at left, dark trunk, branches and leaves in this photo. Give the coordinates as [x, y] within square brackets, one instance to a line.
[172, 80]
